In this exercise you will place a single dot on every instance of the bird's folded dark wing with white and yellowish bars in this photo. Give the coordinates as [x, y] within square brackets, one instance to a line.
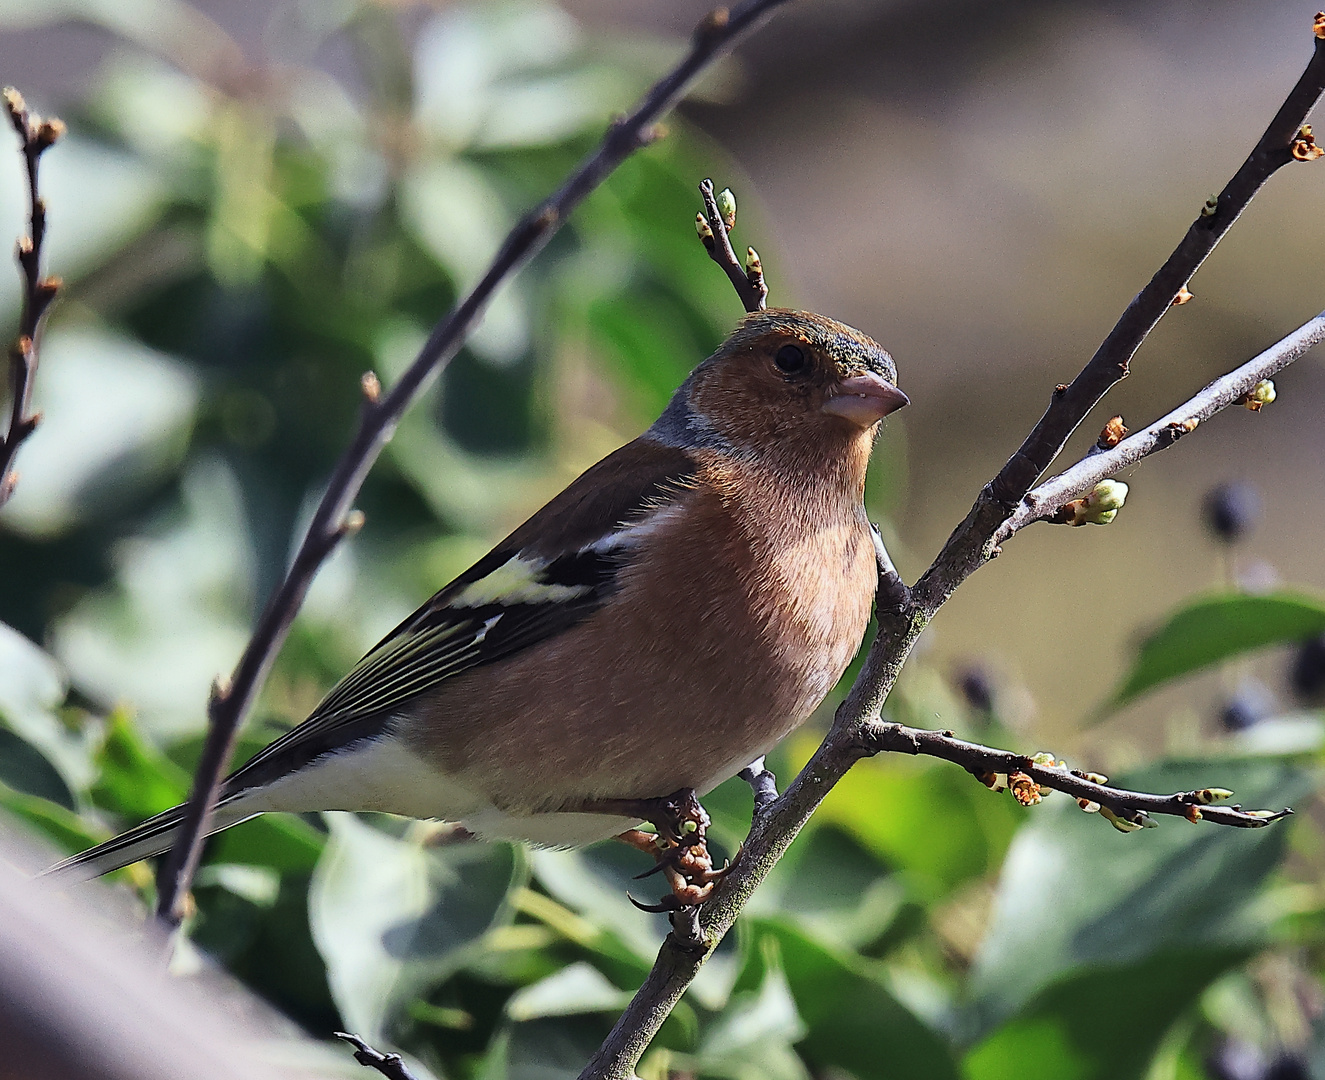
[548, 576]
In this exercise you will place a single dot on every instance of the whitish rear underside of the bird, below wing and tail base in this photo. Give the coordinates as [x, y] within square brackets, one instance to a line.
[384, 776]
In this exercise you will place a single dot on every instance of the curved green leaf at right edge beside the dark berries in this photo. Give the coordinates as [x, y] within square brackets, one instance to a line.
[1212, 629]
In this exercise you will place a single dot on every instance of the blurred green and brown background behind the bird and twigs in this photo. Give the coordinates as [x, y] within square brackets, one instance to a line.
[260, 202]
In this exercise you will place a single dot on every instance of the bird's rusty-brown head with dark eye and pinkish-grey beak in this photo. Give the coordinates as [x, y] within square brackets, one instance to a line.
[789, 380]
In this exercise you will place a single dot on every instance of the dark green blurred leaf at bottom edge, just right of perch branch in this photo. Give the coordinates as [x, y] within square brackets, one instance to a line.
[853, 1020]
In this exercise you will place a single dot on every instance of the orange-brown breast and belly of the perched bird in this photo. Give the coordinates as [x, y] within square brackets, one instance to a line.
[724, 637]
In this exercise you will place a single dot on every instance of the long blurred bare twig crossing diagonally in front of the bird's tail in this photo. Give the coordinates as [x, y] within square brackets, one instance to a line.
[231, 700]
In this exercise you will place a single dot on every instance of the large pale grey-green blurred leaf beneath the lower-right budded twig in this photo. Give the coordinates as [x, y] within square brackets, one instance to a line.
[1075, 894]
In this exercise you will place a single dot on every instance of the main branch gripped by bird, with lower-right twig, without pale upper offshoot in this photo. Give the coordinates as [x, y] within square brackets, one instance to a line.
[858, 731]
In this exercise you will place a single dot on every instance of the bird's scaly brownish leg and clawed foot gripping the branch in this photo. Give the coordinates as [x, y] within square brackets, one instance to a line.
[680, 845]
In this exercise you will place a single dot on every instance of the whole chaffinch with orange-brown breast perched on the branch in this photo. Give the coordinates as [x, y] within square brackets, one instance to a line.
[661, 625]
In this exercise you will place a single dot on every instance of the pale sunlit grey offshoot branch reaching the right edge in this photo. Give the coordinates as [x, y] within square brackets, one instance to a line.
[1229, 390]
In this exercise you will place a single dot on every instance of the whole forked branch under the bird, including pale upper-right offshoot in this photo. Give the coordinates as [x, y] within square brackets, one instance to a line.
[1005, 506]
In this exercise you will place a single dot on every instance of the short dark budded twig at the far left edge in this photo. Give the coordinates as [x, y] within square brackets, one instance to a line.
[36, 137]
